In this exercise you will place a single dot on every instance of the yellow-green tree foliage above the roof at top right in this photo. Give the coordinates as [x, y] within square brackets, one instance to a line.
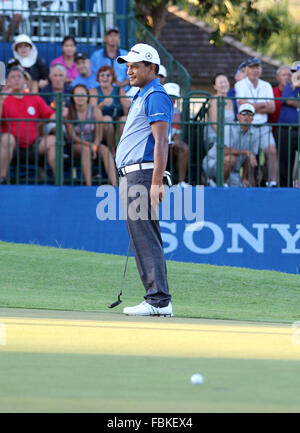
[268, 26]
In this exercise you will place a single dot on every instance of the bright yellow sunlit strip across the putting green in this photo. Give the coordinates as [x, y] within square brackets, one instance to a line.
[150, 339]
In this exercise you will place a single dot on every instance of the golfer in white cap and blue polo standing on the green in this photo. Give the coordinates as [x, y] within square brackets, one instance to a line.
[141, 159]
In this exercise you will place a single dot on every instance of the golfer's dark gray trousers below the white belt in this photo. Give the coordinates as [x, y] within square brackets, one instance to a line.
[145, 237]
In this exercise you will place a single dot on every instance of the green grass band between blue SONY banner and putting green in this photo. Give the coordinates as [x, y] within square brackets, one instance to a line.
[47, 278]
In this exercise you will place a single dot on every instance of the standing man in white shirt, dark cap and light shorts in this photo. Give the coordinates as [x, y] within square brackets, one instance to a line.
[248, 90]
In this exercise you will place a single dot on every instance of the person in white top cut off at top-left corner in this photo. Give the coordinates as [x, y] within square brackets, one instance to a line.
[15, 8]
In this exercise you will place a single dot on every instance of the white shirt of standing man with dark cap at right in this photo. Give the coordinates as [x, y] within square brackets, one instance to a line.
[244, 89]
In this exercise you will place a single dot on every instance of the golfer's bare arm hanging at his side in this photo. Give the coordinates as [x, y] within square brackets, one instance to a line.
[161, 148]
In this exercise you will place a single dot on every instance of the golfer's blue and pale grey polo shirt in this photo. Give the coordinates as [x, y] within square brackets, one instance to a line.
[151, 104]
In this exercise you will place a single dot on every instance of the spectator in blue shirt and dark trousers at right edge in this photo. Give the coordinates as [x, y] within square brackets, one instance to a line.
[288, 135]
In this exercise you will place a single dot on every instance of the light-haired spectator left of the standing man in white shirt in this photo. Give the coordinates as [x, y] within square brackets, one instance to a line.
[221, 86]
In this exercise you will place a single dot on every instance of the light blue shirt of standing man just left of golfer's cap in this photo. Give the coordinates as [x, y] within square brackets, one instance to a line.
[100, 58]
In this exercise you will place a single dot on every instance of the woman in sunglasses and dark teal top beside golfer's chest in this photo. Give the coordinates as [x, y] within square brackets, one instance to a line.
[112, 102]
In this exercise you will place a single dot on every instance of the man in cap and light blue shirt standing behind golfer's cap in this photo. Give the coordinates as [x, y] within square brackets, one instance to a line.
[108, 56]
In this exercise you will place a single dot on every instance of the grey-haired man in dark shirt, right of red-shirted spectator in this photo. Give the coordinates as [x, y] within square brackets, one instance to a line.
[57, 84]
